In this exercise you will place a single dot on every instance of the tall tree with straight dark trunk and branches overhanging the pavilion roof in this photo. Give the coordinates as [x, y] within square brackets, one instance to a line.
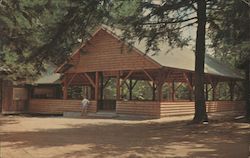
[166, 21]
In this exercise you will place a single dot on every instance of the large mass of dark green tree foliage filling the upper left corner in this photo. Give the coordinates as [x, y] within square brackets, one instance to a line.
[40, 31]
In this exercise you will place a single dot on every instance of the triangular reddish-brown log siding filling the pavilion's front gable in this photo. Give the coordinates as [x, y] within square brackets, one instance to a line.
[103, 53]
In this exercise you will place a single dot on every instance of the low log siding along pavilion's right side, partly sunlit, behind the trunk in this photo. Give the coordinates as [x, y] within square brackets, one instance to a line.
[187, 108]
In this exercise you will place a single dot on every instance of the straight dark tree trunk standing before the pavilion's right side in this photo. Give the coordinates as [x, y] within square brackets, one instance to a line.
[200, 106]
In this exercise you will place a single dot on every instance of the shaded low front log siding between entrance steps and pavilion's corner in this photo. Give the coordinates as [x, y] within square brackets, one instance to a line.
[143, 108]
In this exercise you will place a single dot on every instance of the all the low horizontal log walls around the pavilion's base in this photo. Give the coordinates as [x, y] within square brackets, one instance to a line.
[141, 108]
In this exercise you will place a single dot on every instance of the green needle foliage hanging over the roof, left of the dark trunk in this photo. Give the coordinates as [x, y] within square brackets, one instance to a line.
[155, 23]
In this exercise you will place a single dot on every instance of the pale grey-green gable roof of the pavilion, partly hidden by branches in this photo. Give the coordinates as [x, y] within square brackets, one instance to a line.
[178, 58]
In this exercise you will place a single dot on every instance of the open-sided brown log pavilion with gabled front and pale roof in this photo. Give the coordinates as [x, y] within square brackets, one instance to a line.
[105, 56]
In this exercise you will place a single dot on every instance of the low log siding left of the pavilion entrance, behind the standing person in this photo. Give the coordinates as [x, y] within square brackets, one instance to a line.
[56, 106]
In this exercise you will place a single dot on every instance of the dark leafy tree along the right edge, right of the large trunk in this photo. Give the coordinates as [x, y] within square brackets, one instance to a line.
[230, 36]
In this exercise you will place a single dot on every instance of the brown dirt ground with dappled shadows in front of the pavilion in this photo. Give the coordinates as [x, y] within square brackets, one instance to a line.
[58, 137]
